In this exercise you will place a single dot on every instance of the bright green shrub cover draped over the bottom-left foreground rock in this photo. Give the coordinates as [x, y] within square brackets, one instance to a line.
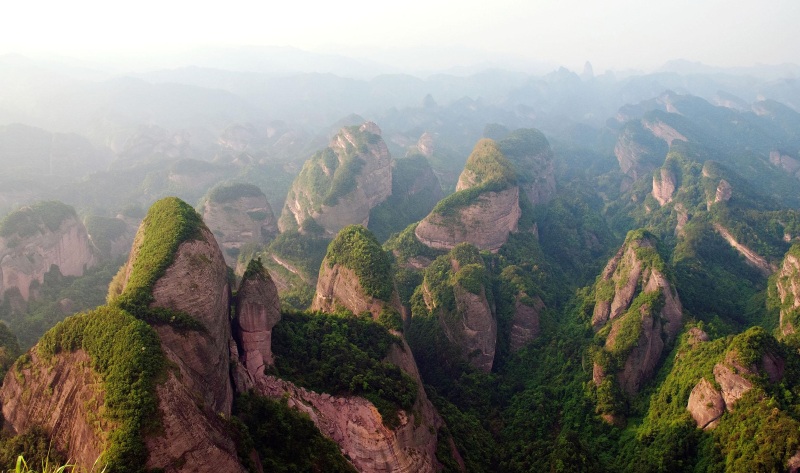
[126, 352]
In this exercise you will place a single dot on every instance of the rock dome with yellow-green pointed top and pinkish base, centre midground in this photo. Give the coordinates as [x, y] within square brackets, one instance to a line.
[484, 209]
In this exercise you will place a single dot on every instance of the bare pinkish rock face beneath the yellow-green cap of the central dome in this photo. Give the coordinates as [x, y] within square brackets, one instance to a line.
[485, 224]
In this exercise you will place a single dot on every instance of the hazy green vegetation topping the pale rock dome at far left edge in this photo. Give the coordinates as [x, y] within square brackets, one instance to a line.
[35, 218]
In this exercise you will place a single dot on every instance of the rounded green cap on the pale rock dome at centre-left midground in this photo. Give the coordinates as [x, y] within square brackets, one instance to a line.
[356, 248]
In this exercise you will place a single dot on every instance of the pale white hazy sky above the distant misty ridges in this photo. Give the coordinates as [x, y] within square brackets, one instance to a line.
[610, 33]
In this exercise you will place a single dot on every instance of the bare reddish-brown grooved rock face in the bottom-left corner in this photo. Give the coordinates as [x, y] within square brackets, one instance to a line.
[63, 396]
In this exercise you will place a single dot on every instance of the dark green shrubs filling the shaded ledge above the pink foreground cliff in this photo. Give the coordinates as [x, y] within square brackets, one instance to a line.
[342, 356]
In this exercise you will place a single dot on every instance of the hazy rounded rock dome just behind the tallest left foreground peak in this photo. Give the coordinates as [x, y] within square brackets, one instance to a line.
[238, 214]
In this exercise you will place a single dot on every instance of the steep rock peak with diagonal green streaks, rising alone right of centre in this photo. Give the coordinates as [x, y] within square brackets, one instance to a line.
[637, 311]
